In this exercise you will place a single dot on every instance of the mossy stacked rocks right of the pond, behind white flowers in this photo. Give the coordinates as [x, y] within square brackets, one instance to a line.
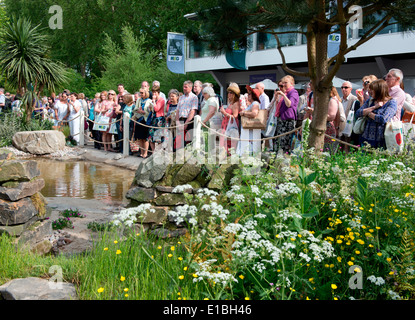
[157, 177]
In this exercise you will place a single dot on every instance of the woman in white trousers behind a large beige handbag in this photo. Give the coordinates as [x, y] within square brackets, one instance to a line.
[250, 147]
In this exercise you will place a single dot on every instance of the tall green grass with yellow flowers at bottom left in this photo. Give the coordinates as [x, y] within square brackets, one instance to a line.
[140, 267]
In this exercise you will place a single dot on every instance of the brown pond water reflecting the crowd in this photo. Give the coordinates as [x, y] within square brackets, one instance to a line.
[85, 180]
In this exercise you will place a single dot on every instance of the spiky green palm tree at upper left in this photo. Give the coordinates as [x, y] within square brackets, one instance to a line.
[25, 63]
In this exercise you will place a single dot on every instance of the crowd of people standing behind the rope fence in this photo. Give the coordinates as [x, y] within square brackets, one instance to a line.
[153, 113]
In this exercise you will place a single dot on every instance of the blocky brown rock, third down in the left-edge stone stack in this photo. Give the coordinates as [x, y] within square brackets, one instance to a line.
[18, 212]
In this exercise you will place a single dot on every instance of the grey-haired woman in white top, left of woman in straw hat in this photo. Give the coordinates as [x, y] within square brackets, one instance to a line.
[209, 109]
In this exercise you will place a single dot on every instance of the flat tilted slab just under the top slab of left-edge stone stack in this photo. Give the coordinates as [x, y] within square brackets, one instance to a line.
[21, 190]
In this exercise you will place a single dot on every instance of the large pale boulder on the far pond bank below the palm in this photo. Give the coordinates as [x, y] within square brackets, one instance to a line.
[39, 142]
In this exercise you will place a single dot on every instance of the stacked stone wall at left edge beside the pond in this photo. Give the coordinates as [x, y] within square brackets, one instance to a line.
[23, 210]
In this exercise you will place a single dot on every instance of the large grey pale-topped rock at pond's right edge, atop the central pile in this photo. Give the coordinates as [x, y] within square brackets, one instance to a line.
[152, 169]
